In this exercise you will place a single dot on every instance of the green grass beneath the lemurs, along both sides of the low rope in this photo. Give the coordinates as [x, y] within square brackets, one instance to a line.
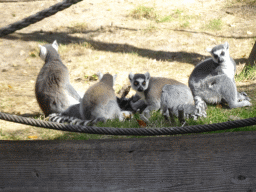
[214, 115]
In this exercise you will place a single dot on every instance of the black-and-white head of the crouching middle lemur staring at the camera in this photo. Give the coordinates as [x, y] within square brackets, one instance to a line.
[139, 82]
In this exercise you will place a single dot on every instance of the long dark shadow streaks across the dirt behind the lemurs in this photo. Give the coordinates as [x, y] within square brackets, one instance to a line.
[67, 38]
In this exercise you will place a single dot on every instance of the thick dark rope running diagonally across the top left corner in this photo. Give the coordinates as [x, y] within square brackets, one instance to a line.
[37, 17]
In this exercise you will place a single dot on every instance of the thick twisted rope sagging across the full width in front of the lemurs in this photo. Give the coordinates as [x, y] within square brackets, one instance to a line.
[130, 131]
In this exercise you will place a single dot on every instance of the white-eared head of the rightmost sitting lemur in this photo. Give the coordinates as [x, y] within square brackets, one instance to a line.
[220, 53]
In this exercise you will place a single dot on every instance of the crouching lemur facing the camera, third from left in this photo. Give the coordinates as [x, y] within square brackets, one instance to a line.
[168, 94]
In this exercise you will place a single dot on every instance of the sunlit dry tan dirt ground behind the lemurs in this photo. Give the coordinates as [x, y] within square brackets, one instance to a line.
[102, 35]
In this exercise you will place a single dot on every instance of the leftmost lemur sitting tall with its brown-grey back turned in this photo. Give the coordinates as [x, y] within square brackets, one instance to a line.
[53, 90]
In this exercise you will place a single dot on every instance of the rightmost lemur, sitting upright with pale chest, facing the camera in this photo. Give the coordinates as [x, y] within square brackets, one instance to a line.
[213, 79]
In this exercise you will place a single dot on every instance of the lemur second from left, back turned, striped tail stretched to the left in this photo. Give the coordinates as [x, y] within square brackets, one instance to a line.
[99, 103]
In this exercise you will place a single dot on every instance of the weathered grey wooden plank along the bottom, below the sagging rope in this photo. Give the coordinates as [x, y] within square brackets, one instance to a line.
[215, 162]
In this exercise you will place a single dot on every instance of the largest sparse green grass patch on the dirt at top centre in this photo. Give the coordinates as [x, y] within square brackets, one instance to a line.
[143, 12]
